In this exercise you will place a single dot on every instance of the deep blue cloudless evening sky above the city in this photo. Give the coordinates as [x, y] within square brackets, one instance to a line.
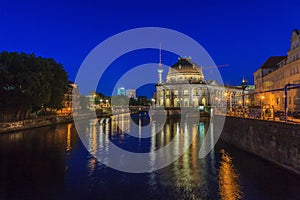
[242, 34]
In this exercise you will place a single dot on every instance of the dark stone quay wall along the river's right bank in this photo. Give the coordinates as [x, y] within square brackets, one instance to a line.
[278, 142]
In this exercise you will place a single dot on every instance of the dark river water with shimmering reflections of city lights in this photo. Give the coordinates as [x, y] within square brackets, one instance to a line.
[52, 163]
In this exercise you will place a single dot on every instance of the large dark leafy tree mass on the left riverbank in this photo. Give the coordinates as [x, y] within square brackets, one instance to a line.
[28, 83]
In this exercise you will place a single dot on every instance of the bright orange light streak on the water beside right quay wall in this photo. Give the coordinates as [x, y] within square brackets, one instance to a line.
[229, 187]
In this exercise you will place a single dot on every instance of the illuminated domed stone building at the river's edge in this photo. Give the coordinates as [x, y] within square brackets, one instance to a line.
[186, 86]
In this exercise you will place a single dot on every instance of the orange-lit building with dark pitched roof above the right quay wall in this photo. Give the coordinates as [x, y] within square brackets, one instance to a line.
[275, 73]
